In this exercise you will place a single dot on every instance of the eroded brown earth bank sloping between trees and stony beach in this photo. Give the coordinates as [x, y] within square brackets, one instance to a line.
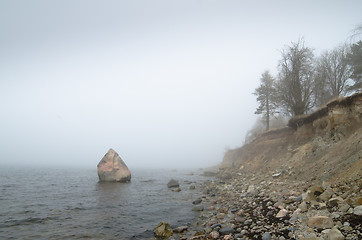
[323, 146]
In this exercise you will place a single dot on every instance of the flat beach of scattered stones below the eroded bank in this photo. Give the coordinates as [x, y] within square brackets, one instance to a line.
[242, 206]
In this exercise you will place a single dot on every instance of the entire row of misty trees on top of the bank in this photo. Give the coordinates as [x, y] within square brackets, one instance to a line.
[305, 81]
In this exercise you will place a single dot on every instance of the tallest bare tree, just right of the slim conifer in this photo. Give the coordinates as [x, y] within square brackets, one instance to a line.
[296, 78]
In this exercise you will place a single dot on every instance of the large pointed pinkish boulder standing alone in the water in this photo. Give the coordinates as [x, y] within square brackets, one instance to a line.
[112, 168]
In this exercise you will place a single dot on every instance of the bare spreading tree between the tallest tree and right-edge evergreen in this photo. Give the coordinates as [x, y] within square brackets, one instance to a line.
[333, 67]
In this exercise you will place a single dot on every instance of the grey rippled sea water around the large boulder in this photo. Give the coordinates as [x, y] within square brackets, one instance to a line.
[50, 203]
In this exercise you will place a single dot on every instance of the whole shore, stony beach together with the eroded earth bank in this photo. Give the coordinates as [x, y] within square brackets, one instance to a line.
[302, 181]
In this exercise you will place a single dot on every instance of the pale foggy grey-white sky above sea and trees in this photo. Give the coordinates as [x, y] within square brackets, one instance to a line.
[164, 83]
